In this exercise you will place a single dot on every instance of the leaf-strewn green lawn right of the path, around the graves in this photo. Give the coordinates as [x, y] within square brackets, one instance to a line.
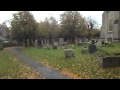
[84, 66]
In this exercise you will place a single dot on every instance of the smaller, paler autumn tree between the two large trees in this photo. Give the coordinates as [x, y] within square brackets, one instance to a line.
[48, 29]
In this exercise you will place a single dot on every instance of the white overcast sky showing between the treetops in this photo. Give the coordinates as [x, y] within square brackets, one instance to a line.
[41, 15]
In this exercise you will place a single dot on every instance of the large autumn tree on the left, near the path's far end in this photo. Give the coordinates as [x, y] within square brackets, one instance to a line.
[23, 27]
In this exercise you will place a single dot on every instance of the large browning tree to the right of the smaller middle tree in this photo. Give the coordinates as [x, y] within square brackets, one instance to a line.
[72, 24]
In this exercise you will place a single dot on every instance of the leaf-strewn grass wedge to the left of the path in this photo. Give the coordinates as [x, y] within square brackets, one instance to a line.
[12, 68]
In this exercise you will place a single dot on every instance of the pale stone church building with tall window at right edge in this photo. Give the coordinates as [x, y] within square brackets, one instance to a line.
[110, 29]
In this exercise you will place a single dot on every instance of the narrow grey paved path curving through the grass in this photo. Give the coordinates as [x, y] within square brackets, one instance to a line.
[44, 71]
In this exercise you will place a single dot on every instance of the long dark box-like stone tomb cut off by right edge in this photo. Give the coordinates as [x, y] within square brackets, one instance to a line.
[109, 61]
